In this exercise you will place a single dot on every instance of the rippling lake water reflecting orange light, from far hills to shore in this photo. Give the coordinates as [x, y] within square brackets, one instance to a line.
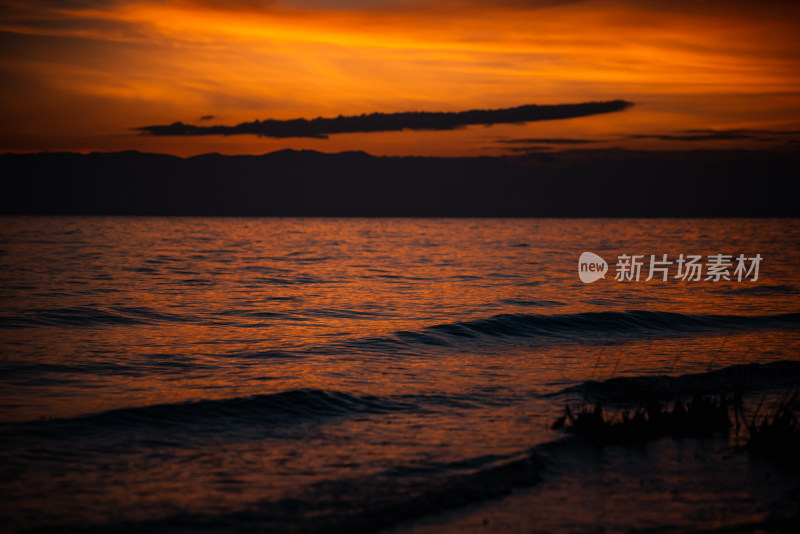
[321, 374]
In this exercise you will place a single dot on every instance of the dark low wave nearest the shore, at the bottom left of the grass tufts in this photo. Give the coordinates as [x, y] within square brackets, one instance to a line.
[359, 504]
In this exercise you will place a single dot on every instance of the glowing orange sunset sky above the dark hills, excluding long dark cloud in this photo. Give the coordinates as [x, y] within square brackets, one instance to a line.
[83, 75]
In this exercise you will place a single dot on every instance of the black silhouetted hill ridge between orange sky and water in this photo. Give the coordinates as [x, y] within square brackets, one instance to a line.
[576, 183]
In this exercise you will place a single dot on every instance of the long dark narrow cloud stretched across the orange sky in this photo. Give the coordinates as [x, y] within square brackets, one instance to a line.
[390, 122]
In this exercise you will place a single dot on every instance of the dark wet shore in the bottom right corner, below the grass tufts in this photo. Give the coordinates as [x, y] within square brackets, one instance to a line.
[665, 485]
